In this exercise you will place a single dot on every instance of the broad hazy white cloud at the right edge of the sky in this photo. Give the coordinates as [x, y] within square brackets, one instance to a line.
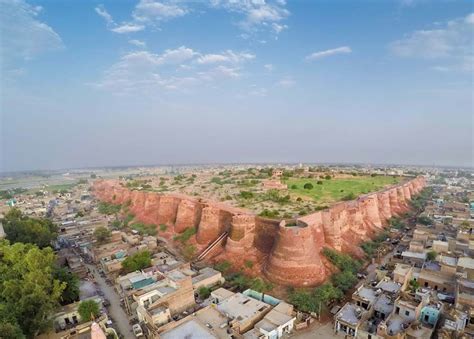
[451, 43]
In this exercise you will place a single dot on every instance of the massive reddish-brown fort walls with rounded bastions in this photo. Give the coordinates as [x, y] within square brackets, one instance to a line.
[286, 252]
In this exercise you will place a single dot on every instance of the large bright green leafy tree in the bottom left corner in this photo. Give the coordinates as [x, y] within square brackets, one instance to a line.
[28, 291]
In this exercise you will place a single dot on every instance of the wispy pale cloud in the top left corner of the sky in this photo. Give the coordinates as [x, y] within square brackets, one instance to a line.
[24, 36]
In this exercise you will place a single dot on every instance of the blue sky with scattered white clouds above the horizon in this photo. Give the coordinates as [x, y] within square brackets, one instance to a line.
[112, 83]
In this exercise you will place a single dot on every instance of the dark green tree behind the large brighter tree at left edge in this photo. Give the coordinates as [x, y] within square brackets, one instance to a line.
[21, 228]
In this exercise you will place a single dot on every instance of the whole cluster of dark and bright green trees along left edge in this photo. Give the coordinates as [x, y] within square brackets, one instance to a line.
[32, 286]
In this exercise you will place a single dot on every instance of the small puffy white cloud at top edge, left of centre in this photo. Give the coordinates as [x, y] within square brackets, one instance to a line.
[150, 10]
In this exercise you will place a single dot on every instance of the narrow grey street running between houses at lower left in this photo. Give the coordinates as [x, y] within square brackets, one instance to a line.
[119, 316]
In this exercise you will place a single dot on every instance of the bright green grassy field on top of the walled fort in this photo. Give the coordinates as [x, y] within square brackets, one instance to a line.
[338, 189]
